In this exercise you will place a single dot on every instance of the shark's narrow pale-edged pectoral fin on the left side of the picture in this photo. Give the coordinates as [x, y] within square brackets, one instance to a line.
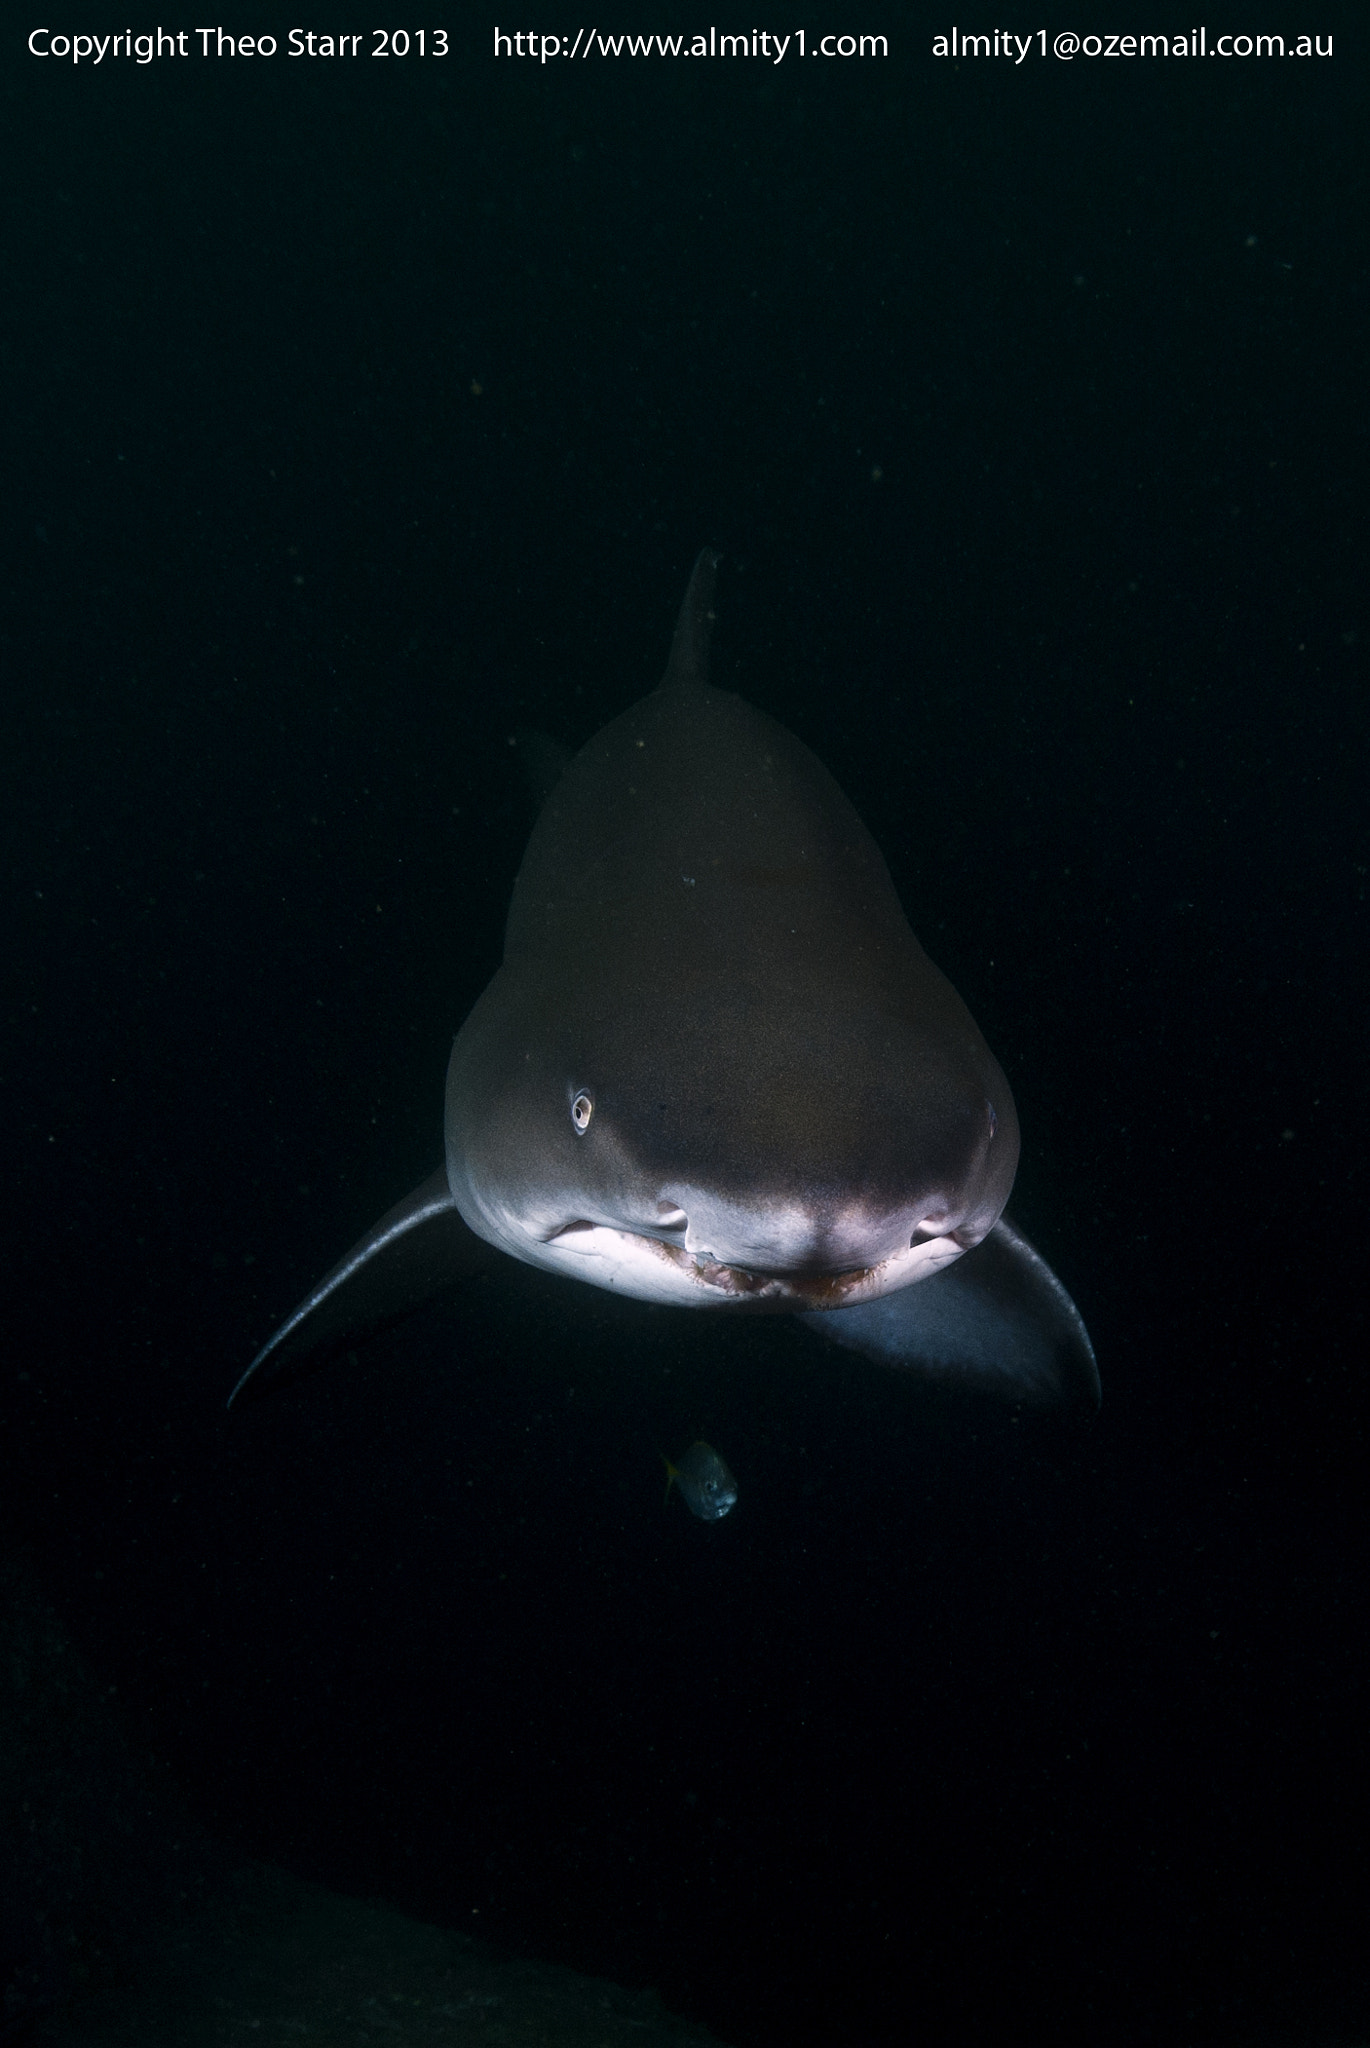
[415, 1252]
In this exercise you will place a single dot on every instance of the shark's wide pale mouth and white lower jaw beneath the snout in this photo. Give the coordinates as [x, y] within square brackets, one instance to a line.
[654, 1271]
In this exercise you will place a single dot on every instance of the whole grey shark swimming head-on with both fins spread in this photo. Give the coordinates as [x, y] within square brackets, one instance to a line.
[718, 1070]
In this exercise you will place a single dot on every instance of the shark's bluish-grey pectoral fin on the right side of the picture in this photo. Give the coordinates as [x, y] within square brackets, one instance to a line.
[996, 1320]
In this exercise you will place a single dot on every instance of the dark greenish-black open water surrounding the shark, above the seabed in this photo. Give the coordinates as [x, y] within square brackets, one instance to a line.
[361, 413]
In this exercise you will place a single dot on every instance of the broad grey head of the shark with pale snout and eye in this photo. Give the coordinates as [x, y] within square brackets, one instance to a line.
[759, 1154]
